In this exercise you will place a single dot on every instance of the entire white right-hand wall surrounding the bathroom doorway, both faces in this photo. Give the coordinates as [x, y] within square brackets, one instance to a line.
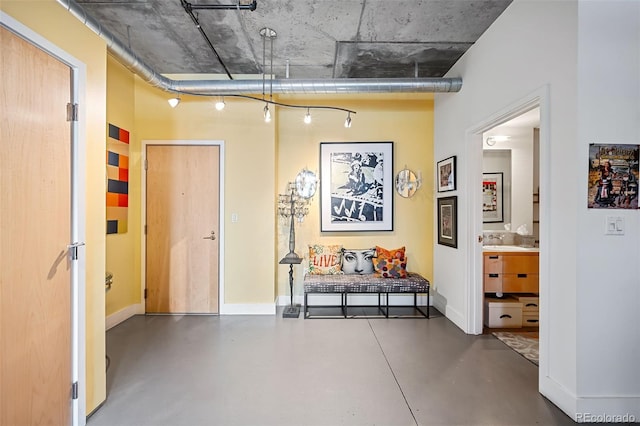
[533, 50]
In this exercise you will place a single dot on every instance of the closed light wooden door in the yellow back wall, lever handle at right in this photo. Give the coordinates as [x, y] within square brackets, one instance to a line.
[182, 227]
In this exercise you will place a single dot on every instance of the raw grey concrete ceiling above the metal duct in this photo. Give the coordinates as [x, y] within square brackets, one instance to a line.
[319, 39]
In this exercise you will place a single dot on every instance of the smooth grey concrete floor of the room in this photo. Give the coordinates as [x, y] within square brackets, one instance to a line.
[266, 370]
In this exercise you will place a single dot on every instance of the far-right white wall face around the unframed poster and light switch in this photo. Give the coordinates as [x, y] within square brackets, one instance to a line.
[608, 270]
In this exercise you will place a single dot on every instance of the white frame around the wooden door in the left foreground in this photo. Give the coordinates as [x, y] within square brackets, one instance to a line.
[78, 211]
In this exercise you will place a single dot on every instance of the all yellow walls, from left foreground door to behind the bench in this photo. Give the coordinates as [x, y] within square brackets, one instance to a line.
[259, 159]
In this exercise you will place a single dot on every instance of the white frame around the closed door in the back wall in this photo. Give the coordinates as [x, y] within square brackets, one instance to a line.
[221, 233]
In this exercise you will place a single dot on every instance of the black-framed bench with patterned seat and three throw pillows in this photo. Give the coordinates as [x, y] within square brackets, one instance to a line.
[334, 270]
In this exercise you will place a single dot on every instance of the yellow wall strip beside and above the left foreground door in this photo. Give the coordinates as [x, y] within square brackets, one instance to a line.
[54, 23]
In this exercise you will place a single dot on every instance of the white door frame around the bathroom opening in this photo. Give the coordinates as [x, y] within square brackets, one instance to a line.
[473, 149]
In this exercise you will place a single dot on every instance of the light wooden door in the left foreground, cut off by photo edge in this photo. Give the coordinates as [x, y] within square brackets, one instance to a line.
[35, 228]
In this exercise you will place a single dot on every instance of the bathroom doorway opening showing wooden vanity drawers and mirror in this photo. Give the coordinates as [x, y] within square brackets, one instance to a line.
[511, 228]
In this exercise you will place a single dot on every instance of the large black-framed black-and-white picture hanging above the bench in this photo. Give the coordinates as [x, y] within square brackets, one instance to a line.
[356, 186]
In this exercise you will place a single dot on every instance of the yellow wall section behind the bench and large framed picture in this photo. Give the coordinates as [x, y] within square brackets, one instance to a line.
[406, 120]
